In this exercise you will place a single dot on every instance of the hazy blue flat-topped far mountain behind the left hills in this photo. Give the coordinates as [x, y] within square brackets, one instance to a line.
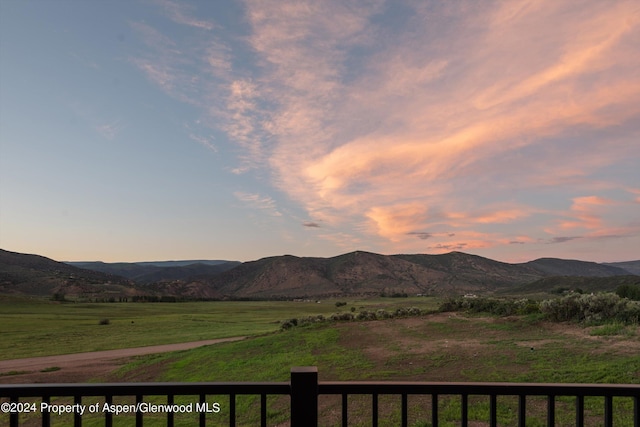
[159, 271]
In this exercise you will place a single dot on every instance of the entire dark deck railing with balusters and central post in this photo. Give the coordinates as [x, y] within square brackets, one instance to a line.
[304, 391]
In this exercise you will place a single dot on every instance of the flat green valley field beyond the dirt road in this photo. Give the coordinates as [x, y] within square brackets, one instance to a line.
[33, 328]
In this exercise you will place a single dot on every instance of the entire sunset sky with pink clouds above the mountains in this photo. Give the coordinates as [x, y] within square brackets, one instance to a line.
[155, 129]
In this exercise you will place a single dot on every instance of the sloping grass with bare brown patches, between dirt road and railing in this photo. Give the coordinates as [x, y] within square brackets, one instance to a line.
[439, 347]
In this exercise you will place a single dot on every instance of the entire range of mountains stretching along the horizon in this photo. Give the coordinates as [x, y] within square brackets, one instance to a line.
[288, 276]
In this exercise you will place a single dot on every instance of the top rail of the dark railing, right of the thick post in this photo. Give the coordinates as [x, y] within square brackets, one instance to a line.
[502, 388]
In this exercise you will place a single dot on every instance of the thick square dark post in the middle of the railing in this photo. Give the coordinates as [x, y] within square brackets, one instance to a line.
[304, 396]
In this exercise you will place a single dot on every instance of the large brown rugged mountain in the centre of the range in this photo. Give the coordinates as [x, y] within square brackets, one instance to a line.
[362, 273]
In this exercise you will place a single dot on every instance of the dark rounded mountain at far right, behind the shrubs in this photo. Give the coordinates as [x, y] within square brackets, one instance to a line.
[567, 267]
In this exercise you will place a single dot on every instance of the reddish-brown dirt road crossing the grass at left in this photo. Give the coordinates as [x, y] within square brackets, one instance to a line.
[78, 367]
